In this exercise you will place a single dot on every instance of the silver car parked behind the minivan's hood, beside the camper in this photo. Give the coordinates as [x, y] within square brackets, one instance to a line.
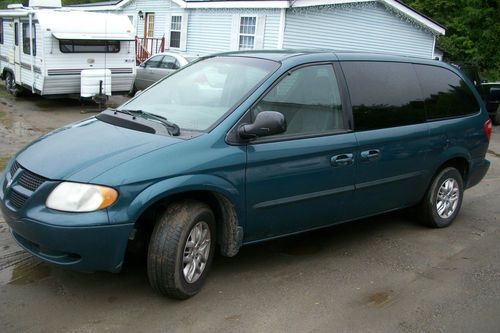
[157, 67]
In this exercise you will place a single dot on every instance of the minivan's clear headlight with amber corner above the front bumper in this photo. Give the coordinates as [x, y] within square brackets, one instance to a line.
[76, 197]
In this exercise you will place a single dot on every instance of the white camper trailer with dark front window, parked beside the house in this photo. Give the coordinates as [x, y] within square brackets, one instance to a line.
[53, 51]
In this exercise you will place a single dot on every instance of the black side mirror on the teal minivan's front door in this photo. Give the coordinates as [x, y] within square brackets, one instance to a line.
[266, 123]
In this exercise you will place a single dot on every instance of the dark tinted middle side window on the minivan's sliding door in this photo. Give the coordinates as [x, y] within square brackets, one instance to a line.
[383, 94]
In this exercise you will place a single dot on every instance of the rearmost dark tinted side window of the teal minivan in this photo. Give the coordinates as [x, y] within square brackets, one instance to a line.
[445, 93]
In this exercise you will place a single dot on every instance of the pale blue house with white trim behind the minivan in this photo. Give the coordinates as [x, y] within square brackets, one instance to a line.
[205, 26]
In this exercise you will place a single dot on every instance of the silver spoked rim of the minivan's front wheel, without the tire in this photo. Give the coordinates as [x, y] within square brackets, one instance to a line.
[196, 252]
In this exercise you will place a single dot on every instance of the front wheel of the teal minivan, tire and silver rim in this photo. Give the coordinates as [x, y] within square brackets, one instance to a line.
[168, 272]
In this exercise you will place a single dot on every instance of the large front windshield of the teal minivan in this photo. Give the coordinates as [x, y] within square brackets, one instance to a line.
[196, 96]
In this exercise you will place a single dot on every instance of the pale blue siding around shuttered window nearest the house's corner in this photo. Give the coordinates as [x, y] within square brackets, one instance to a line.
[210, 30]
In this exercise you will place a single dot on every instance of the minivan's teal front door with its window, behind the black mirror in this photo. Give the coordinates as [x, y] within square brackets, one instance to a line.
[300, 179]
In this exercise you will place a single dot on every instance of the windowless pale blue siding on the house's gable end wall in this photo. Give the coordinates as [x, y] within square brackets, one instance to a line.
[369, 27]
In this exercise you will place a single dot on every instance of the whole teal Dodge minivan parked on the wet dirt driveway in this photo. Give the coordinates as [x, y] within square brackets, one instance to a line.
[243, 147]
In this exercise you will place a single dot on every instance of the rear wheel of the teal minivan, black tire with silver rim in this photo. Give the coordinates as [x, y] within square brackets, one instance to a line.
[449, 183]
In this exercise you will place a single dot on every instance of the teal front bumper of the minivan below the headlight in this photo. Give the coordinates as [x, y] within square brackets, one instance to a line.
[80, 241]
